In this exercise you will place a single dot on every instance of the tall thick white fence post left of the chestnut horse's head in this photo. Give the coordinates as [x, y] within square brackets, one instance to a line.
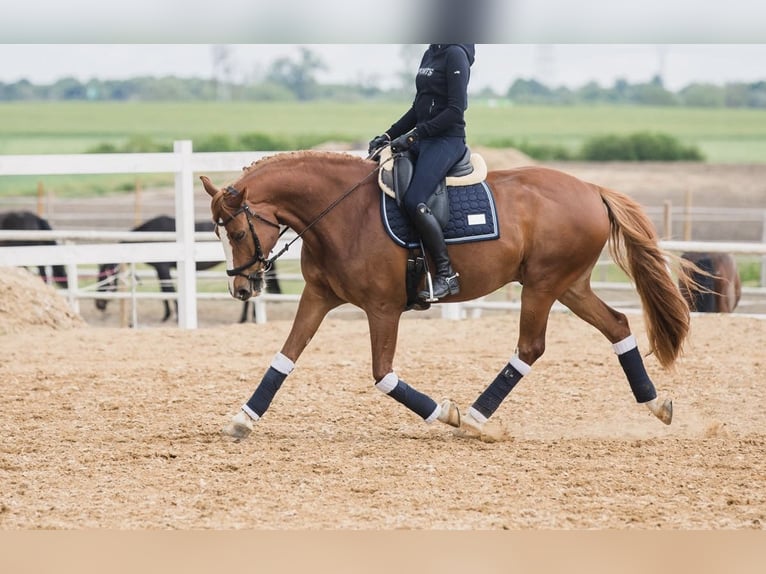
[187, 267]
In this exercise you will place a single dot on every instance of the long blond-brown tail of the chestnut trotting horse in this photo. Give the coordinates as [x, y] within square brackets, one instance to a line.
[633, 245]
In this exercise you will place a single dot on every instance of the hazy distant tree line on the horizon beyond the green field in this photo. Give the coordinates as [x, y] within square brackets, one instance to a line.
[296, 79]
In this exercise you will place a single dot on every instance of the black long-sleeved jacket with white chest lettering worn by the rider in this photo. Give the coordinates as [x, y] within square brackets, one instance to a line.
[441, 93]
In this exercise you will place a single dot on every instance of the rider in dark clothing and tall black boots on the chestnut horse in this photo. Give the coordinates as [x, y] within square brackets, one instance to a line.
[433, 129]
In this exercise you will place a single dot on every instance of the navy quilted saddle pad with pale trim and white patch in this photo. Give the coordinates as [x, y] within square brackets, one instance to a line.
[473, 217]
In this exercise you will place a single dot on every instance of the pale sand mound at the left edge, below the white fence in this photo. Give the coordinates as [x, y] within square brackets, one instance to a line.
[25, 300]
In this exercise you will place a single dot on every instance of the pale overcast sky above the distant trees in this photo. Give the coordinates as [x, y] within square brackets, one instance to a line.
[497, 65]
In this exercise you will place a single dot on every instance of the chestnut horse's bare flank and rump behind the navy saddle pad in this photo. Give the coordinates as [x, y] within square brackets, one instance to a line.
[547, 219]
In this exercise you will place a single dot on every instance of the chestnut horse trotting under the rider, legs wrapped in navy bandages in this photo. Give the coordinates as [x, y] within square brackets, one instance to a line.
[553, 227]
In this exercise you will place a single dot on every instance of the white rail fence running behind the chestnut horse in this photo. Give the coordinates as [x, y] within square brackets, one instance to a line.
[184, 246]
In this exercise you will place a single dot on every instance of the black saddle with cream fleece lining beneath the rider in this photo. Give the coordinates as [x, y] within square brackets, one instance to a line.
[395, 175]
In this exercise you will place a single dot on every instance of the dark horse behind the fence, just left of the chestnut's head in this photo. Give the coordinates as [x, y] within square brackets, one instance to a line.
[107, 273]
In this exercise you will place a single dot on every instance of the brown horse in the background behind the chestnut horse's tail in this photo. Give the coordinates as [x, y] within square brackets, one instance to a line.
[721, 286]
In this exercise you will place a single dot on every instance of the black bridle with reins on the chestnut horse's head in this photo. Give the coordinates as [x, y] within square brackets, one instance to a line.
[258, 257]
